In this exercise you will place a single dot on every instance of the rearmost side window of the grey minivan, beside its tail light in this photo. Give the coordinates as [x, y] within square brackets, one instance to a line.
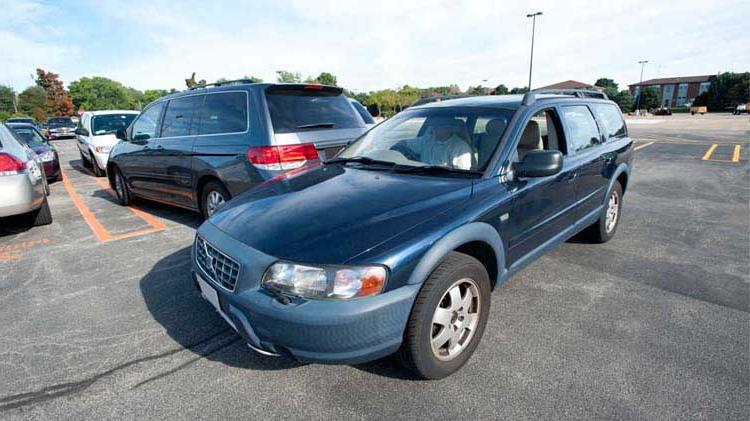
[223, 113]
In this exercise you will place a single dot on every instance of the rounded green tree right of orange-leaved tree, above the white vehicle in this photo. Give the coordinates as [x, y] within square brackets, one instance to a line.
[101, 93]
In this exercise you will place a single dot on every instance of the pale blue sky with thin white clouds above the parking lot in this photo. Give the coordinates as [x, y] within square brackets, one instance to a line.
[370, 45]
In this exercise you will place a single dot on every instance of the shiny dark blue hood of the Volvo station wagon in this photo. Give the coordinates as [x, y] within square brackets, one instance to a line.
[332, 213]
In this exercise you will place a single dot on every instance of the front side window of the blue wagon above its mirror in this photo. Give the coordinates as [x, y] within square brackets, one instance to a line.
[542, 132]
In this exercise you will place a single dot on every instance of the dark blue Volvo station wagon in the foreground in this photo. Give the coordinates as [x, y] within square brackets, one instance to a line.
[395, 244]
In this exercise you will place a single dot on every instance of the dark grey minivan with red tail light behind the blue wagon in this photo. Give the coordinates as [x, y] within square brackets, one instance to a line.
[199, 148]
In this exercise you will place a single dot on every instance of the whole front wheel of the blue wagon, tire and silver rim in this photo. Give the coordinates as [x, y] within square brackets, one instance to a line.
[448, 318]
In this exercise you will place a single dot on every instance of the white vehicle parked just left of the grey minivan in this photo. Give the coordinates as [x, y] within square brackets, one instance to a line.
[96, 136]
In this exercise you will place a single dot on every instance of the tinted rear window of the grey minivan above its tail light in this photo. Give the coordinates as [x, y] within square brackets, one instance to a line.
[297, 110]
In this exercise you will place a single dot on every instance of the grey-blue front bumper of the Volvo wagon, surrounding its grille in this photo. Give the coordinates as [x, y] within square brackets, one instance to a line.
[325, 331]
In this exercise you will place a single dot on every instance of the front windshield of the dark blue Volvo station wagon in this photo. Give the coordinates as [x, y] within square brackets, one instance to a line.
[456, 138]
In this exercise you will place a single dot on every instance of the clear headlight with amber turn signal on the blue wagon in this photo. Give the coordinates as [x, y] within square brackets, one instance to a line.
[325, 282]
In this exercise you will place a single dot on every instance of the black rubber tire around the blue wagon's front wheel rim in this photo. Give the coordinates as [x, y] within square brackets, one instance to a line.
[416, 353]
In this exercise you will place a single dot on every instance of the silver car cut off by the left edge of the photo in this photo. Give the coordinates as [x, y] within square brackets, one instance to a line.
[23, 189]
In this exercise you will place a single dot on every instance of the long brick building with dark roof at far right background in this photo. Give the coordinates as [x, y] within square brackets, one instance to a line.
[675, 91]
